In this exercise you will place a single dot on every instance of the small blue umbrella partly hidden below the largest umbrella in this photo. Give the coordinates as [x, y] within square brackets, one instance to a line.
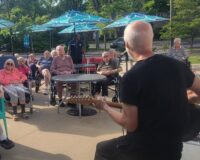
[80, 28]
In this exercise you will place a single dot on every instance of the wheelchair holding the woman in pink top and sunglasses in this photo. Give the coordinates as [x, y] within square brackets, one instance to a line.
[27, 84]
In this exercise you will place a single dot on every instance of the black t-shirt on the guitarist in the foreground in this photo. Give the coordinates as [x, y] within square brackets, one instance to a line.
[157, 86]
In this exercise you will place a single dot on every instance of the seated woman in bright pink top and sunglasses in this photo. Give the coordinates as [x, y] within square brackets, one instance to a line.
[12, 81]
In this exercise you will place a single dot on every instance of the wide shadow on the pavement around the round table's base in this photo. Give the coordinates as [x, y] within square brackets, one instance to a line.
[46, 119]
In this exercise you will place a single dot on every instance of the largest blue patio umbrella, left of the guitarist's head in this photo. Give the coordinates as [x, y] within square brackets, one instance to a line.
[73, 17]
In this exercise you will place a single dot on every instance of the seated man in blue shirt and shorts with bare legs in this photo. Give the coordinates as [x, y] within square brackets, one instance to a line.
[44, 66]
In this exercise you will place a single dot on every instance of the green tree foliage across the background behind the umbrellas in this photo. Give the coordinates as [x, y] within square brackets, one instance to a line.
[24, 13]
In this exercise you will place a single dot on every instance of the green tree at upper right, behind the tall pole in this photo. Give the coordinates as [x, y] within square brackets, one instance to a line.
[185, 22]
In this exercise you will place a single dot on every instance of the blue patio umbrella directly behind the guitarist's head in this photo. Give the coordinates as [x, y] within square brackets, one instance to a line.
[135, 17]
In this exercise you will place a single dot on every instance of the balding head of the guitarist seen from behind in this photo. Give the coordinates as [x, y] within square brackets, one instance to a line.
[138, 37]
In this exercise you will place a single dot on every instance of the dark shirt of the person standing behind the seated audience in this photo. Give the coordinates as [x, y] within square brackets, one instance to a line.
[76, 48]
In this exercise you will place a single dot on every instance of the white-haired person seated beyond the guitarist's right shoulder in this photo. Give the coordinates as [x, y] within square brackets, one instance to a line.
[177, 51]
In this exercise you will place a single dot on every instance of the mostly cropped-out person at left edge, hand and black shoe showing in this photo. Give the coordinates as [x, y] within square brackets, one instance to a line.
[4, 141]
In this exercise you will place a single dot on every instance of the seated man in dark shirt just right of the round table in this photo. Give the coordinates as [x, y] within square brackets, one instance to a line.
[108, 68]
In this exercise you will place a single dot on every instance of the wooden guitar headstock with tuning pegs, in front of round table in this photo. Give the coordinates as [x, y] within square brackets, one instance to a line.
[85, 100]
